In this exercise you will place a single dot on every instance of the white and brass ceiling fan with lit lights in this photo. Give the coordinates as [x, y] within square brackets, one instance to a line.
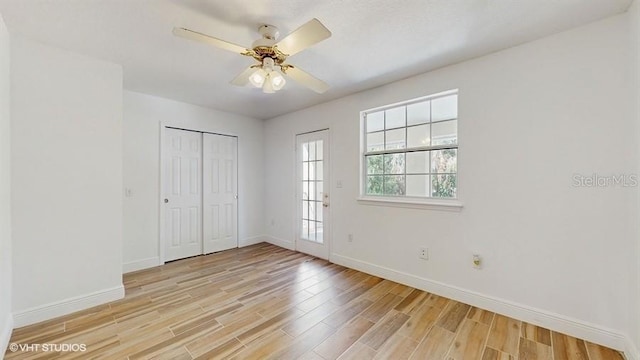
[271, 55]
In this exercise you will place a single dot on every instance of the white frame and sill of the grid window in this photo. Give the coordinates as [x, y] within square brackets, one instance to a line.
[436, 203]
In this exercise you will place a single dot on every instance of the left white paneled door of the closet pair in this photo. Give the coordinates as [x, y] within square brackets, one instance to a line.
[182, 194]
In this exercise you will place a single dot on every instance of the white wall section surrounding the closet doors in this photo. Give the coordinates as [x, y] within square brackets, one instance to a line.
[142, 117]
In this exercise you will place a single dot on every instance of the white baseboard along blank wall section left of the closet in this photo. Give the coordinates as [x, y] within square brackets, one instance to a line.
[67, 306]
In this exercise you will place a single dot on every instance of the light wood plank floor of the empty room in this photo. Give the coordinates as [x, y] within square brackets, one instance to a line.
[264, 302]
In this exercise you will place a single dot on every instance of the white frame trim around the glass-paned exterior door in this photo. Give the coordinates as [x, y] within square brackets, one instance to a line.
[295, 191]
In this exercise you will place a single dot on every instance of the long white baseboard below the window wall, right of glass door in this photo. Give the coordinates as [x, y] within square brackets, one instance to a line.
[556, 322]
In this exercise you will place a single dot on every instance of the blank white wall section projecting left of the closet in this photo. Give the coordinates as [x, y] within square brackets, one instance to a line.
[66, 157]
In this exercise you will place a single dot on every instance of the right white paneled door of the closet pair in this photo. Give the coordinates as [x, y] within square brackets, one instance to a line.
[220, 186]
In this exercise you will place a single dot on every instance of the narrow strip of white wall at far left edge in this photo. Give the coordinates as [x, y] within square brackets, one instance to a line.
[6, 320]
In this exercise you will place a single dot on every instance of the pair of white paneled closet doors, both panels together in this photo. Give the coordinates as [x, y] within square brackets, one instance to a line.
[200, 193]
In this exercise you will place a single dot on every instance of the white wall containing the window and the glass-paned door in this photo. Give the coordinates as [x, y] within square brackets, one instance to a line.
[530, 118]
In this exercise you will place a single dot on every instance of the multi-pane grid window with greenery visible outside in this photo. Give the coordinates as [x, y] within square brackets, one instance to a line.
[411, 149]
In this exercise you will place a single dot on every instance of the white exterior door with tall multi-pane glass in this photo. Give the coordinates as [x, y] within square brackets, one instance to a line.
[312, 194]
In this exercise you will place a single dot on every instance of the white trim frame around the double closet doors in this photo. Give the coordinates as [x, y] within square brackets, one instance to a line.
[161, 212]
